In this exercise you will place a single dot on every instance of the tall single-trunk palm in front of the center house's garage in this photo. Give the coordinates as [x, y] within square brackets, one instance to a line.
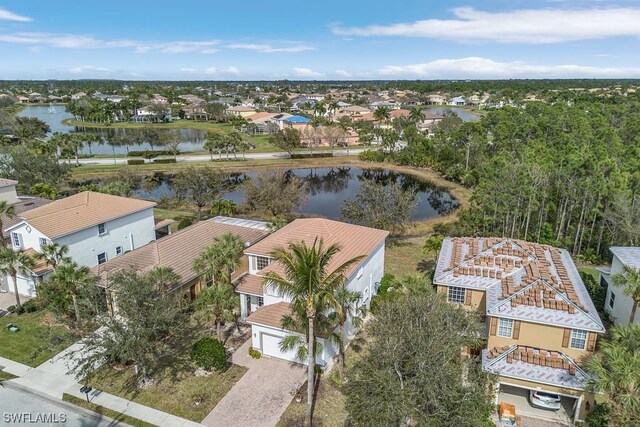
[311, 288]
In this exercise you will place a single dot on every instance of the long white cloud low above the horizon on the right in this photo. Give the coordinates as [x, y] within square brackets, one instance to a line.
[481, 68]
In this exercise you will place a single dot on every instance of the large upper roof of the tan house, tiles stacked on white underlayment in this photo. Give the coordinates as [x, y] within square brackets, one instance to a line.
[522, 280]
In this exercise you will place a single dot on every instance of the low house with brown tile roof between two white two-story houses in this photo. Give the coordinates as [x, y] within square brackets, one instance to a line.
[178, 251]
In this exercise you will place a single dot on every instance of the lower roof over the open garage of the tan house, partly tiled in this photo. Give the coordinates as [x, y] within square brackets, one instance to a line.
[535, 364]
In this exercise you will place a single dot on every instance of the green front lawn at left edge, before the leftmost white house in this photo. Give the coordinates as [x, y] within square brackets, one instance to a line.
[20, 346]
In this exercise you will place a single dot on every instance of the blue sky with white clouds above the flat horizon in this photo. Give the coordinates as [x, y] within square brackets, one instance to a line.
[215, 40]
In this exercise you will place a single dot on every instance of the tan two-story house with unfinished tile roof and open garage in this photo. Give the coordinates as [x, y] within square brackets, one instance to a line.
[540, 320]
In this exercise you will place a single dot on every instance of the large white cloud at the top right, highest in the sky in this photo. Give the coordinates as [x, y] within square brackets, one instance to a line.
[529, 26]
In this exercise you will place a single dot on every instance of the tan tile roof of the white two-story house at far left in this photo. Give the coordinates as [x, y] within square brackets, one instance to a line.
[81, 211]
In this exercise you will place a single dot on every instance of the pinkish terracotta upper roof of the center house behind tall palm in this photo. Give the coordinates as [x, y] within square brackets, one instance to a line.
[355, 240]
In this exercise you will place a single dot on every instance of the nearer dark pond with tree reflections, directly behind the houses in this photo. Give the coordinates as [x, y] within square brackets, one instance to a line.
[329, 188]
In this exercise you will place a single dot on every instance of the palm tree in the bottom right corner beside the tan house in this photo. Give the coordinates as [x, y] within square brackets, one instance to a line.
[614, 372]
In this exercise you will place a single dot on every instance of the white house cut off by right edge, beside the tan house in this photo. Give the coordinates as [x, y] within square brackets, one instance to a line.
[617, 304]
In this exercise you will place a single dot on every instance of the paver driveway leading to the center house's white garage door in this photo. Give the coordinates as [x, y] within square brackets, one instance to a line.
[262, 394]
